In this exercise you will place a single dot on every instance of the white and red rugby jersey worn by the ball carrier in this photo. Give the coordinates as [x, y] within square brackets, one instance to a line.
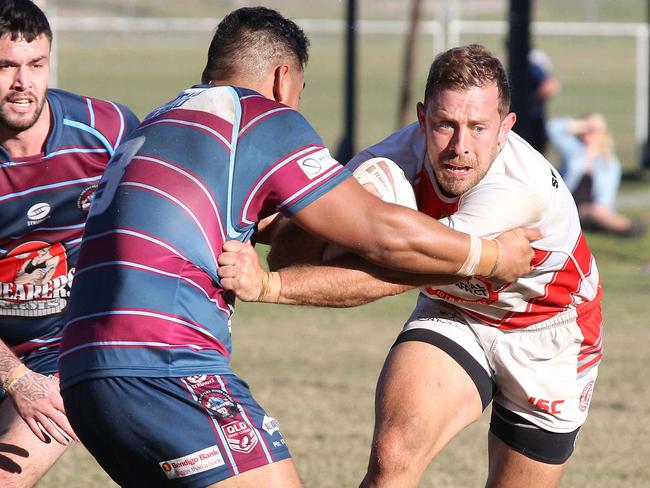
[521, 188]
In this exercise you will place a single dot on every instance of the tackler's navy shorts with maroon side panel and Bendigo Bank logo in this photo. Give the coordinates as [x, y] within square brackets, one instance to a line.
[191, 431]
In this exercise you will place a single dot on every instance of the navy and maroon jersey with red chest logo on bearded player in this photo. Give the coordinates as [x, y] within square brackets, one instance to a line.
[44, 201]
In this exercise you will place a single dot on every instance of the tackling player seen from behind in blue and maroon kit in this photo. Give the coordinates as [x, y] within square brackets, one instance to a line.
[146, 346]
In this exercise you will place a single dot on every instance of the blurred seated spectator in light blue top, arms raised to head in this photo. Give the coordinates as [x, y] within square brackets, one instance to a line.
[592, 172]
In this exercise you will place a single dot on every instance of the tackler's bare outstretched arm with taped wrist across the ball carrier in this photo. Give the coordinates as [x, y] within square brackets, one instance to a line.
[403, 239]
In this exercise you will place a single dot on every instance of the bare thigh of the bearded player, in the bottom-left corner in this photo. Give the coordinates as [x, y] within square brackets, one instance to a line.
[24, 458]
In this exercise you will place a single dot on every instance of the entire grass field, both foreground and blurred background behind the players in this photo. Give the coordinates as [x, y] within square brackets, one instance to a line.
[314, 369]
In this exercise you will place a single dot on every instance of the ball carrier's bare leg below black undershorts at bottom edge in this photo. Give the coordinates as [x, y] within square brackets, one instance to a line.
[509, 468]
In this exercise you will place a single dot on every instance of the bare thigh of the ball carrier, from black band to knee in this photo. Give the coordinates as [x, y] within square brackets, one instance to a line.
[424, 398]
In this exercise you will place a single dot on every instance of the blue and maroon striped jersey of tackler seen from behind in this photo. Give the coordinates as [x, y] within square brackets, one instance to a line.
[200, 170]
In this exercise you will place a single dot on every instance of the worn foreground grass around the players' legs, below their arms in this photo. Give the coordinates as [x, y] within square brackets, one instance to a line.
[315, 370]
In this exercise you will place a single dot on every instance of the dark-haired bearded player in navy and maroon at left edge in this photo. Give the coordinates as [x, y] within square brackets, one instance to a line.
[54, 146]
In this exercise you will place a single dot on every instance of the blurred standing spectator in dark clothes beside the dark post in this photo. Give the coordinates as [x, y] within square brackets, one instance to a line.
[544, 87]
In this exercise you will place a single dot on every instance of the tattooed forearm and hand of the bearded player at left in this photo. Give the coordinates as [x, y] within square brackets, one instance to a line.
[36, 399]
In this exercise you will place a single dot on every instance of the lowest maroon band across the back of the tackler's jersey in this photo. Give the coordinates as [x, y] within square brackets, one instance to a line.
[149, 332]
